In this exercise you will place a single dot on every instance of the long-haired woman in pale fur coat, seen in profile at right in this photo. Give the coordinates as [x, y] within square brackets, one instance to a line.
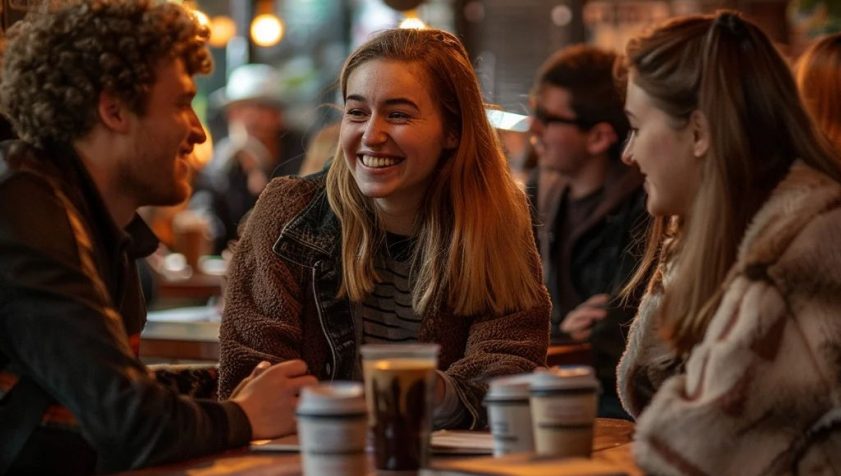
[733, 364]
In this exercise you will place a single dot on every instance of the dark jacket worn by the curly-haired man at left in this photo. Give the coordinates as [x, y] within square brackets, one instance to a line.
[71, 312]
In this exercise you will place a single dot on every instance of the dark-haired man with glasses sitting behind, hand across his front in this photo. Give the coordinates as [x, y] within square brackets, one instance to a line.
[590, 207]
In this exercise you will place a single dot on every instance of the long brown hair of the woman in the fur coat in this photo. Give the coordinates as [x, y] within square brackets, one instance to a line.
[726, 68]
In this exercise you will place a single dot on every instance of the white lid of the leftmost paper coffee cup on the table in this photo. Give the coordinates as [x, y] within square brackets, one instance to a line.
[336, 398]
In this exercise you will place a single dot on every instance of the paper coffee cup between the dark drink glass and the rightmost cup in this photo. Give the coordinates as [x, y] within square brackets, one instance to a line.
[509, 414]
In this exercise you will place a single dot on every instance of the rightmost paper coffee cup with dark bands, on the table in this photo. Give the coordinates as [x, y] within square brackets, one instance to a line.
[563, 409]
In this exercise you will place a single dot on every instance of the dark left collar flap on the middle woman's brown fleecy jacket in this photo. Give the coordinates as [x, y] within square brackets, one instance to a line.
[313, 234]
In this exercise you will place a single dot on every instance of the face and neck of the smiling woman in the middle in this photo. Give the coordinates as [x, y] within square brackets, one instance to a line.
[392, 138]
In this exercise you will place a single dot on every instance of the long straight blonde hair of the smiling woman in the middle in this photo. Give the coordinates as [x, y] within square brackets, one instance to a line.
[473, 232]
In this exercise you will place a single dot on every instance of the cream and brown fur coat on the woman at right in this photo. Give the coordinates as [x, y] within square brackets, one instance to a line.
[761, 393]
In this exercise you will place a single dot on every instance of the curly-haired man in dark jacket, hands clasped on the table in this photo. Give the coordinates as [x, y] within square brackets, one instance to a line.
[100, 93]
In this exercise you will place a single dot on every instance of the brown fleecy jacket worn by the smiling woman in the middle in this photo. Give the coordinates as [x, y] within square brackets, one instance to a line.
[281, 304]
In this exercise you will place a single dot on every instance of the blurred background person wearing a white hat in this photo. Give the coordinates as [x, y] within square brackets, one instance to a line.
[259, 146]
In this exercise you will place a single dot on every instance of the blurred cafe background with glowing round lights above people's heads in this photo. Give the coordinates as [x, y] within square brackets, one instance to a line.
[307, 40]
